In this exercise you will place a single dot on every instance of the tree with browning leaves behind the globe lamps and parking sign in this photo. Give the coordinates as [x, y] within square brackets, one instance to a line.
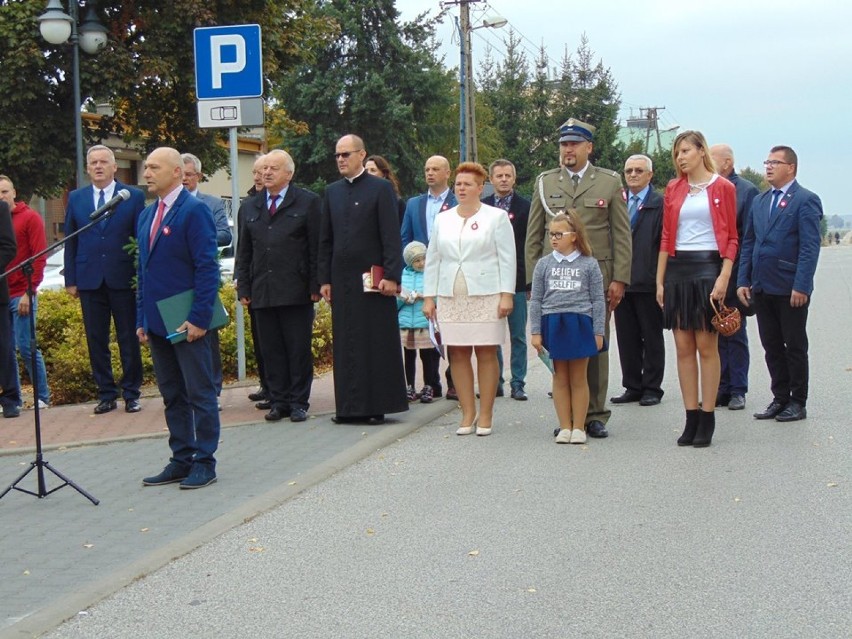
[145, 71]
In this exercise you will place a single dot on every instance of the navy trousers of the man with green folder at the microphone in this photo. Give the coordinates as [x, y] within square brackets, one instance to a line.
[185, 378]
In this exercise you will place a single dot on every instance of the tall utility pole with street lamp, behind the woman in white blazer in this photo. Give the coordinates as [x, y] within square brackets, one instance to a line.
[467, 115]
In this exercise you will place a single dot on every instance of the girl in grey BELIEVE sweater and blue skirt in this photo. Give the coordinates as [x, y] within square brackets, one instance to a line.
[567, 316]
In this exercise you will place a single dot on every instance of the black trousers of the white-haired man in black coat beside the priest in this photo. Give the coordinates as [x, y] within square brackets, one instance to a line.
[285, 340]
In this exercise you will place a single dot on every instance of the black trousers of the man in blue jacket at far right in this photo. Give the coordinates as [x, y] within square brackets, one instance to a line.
[783, 334]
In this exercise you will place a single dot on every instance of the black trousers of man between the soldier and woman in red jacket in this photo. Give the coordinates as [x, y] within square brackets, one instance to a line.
[641, 348]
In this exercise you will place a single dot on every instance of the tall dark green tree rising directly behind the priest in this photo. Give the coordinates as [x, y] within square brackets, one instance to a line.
[380, 79]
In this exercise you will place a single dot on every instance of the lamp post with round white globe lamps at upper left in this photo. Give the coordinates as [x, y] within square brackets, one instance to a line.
[57, 27]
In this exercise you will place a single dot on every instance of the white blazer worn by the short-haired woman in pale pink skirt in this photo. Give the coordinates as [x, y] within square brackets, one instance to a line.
[482, 246]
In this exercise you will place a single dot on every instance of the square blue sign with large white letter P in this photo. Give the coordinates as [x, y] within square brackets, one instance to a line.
[228, 62]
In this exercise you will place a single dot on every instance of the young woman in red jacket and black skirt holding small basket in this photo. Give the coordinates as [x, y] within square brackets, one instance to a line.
[697, 249]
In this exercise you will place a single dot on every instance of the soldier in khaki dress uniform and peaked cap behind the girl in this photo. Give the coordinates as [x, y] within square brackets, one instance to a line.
[598, 197]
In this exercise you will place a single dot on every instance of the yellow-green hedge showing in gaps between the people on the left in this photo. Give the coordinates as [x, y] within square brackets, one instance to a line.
[62, 341]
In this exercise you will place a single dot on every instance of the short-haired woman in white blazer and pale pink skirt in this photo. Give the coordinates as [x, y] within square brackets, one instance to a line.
[470, 269]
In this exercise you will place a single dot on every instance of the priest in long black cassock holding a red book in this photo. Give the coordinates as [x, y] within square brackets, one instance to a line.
[359, 229]
